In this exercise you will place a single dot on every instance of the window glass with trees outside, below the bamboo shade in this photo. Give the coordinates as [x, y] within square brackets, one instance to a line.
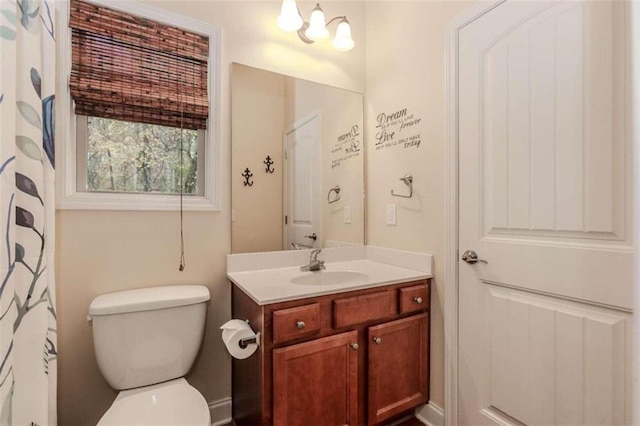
[123, 156]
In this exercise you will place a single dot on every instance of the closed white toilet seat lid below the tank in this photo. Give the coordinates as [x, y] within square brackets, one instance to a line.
[171, 403]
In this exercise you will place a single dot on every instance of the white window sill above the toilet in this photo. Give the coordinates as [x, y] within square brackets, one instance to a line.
[133, 202]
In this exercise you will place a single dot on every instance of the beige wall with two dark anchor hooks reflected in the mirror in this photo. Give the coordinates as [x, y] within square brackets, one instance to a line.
[257, 127]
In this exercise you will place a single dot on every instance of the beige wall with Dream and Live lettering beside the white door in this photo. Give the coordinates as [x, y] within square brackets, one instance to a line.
[405, 69]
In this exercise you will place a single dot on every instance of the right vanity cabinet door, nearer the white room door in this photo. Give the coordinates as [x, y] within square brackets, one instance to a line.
[398, 367]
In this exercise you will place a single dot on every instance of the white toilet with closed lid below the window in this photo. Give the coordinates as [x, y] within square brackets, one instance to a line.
[145, 341]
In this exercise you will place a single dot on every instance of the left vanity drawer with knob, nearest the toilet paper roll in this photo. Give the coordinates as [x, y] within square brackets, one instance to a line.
[295, 322]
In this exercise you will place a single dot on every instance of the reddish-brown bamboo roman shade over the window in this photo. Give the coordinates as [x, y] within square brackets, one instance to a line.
[133, 69]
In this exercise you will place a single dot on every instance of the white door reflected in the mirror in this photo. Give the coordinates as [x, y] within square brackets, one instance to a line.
[302, 184]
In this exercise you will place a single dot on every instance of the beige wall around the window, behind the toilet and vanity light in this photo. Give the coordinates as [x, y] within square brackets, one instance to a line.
[100, 252]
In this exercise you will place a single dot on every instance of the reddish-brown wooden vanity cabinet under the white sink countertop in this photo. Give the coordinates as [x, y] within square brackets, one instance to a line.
[352, 358]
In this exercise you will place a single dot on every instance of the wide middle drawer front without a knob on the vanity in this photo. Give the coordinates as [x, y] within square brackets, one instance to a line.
[359, 309]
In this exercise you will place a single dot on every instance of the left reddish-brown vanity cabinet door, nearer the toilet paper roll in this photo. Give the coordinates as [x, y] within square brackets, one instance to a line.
[316, 383]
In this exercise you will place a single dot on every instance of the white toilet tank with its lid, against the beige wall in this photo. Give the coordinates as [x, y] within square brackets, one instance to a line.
[148, 335]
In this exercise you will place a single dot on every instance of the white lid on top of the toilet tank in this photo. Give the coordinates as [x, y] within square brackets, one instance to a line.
[148, 299]
